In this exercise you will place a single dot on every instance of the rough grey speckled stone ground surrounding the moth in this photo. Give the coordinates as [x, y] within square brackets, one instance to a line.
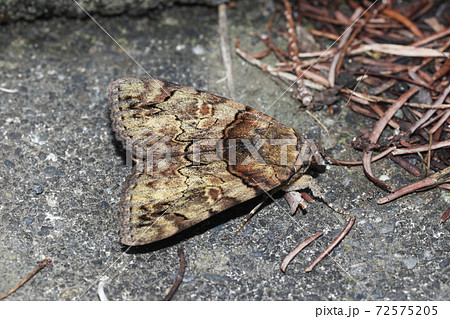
[61, 173]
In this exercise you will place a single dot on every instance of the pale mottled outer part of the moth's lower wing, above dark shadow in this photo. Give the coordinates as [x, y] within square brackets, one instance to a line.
[155, 207]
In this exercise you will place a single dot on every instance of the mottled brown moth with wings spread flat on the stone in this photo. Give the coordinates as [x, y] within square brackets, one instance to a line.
[197, 154]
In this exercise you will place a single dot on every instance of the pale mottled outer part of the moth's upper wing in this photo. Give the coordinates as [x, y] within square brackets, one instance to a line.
[146, 111]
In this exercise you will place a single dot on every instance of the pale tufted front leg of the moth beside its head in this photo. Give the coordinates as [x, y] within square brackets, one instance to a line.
[306, 181]
